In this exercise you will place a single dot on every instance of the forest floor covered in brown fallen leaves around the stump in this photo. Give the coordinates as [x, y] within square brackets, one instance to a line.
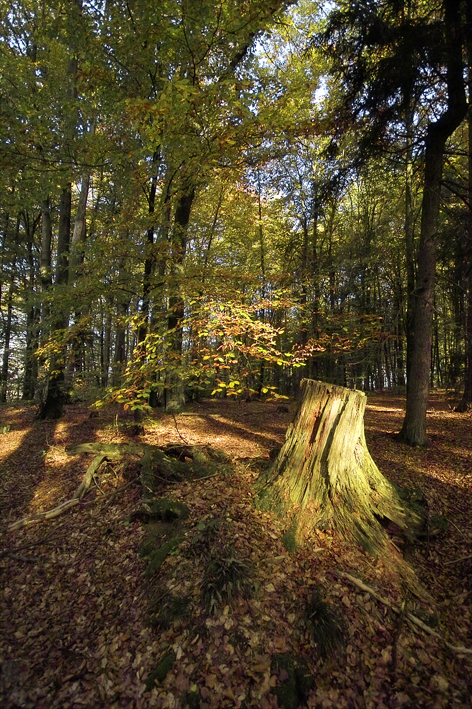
[76, 623]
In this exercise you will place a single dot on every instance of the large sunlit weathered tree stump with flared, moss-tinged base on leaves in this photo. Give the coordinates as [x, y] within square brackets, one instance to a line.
[324, 476]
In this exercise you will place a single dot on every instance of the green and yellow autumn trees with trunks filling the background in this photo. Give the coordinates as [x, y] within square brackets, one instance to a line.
[204, 198]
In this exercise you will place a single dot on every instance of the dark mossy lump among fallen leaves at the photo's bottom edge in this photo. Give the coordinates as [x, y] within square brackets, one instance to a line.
[296, 680]
